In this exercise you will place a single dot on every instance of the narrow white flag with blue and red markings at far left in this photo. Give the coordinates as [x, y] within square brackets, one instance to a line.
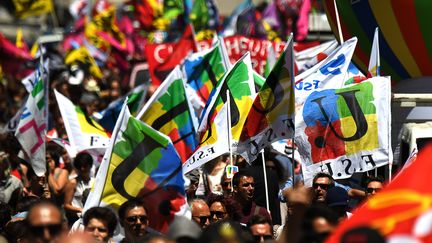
[32, 126]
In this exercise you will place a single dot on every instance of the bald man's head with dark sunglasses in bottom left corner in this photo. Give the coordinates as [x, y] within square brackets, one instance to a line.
[45, 223]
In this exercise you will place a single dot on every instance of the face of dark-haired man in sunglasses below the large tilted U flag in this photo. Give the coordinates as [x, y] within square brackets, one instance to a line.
[135, 222]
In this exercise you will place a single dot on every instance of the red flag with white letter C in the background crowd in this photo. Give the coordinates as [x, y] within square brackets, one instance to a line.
[160, 67]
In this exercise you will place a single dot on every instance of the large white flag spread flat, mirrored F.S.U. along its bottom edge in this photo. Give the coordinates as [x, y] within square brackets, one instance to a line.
[346, 130]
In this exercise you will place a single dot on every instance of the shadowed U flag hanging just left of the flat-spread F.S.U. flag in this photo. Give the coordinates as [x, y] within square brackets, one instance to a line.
[271, 116]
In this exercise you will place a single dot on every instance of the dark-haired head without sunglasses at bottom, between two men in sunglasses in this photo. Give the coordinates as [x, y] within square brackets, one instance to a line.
[100, 222]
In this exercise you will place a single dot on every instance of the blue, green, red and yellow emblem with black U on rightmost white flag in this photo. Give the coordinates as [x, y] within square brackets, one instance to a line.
[341, 121]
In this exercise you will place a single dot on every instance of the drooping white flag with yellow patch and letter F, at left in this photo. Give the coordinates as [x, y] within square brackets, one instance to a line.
[84, 133]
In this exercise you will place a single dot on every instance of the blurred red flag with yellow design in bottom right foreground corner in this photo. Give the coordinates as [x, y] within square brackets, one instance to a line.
[402, 212]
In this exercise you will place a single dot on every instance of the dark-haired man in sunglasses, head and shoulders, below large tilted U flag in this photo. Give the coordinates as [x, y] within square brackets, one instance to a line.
[133, 218]
